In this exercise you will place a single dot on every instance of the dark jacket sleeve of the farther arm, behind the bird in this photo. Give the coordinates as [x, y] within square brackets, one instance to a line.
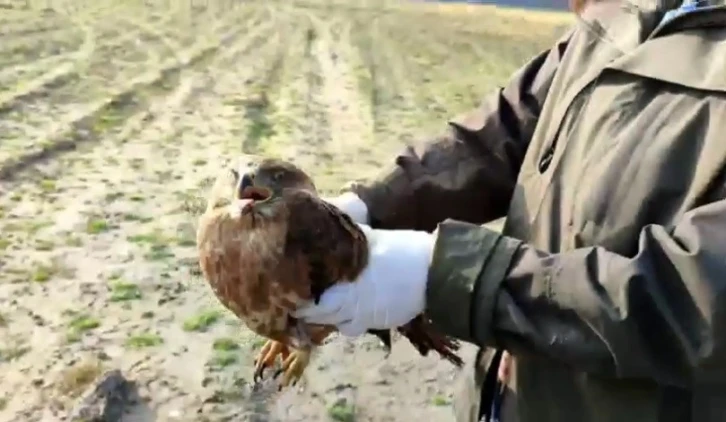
[469, 172]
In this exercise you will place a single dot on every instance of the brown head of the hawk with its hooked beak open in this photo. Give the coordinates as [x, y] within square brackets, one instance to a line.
[260, 188]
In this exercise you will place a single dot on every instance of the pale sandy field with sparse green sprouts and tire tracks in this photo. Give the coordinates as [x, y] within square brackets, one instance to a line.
[114, 117]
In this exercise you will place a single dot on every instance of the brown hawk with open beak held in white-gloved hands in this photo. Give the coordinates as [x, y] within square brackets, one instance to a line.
[268, 244]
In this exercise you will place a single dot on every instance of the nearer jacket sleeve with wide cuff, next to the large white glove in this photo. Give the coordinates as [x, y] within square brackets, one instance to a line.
[660, 315]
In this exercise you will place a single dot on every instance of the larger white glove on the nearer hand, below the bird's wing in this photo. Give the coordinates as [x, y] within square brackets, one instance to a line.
[390, 291]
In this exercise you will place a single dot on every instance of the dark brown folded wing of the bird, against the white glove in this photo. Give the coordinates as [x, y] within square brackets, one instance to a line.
[334, 247]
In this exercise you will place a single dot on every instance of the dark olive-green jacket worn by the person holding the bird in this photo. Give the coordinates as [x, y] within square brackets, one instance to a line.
[607, 155]
